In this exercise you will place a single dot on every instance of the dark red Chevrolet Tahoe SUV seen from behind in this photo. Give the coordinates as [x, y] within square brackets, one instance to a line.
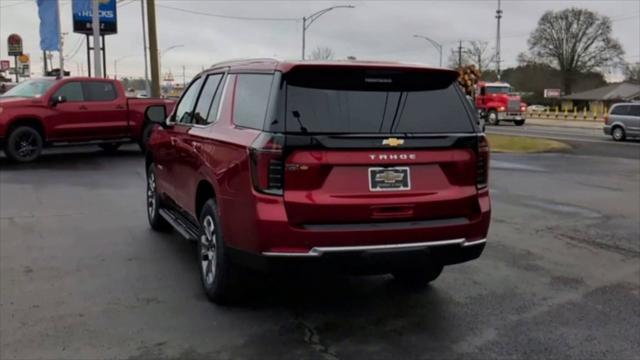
[363, 167]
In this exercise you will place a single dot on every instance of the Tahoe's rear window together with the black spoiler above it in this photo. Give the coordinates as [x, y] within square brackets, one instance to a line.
[364, 102]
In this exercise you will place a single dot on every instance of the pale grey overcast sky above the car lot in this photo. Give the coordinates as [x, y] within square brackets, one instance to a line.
[372, 30]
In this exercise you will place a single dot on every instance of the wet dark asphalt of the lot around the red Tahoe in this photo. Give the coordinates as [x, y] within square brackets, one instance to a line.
[82, 275]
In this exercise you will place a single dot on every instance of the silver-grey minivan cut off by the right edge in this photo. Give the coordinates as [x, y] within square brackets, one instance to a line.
[623, 121]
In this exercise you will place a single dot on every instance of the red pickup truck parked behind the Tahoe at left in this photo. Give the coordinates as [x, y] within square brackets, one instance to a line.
[76, 110]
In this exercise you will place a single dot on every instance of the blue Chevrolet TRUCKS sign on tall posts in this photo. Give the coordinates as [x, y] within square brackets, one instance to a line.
[83, 12]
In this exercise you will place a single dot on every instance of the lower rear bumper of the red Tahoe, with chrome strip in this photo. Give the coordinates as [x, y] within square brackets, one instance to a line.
[271, 239]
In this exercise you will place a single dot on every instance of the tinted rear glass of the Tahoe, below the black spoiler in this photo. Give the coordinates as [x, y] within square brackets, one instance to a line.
[318, 110]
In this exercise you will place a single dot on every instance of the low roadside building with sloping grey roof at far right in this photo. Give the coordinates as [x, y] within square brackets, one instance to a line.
[600, 99]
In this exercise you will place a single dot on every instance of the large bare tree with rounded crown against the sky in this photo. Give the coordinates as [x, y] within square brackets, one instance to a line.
[574, 40]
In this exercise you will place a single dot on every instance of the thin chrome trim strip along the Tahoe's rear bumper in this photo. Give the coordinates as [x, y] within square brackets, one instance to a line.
[321, 250]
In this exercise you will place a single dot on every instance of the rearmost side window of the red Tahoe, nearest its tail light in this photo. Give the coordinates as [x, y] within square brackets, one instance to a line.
[251, 100]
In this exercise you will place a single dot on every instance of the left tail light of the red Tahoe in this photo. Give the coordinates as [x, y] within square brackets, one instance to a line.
[267, 163]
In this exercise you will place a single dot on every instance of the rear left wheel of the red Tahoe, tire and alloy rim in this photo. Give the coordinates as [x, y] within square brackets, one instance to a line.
[217, 272]
